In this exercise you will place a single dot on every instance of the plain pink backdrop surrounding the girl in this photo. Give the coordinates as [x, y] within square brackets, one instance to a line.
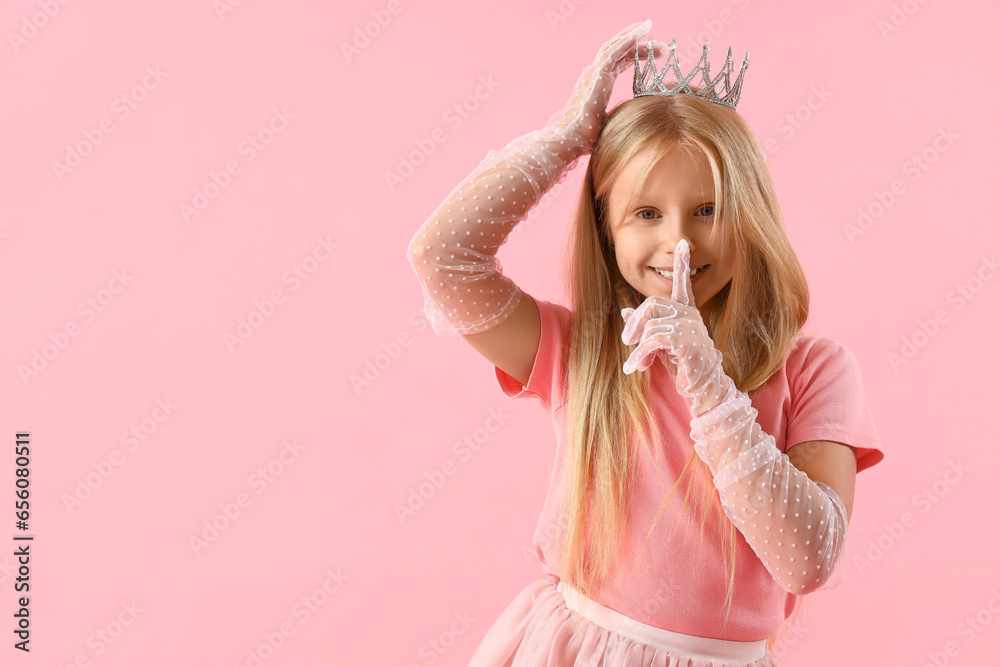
[114, 515]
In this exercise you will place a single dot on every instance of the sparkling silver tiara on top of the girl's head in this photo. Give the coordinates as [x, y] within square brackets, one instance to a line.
[655, 85]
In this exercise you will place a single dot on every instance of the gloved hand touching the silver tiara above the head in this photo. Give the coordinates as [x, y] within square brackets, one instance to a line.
[585, 112]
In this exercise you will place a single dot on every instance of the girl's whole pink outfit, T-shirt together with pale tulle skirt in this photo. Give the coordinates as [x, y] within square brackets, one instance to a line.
[665, 607]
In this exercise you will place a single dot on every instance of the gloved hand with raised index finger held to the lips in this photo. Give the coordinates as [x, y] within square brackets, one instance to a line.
[673, 331]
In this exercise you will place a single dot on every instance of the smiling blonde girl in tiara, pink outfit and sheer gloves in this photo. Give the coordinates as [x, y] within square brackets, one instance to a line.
[678, 249]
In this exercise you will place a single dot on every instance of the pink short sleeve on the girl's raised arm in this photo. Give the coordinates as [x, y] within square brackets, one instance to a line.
[549, 360]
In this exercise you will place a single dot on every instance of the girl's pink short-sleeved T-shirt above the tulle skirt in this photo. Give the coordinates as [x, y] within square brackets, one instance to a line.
[680, 585]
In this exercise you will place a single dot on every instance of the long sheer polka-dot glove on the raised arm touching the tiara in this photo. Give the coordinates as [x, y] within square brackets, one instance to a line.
[454, 252]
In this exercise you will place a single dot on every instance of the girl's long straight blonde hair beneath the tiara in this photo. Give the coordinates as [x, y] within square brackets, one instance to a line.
[753, 320]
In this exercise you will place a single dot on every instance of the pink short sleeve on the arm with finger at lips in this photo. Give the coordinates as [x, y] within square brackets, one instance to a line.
[828, 403]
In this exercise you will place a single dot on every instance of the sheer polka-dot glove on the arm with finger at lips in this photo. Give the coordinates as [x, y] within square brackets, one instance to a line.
[795, 525]
